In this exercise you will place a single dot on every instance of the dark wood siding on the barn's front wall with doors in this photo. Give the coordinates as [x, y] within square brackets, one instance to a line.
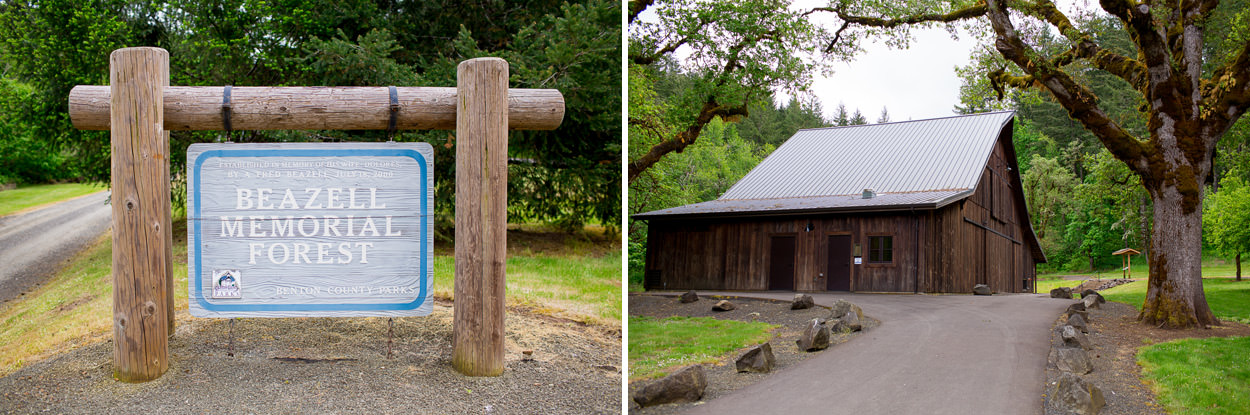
[734, 254]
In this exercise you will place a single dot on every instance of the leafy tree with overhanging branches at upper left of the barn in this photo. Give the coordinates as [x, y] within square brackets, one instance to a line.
[739, 52]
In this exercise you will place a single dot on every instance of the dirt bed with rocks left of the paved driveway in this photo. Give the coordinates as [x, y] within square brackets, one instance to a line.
[723, 378]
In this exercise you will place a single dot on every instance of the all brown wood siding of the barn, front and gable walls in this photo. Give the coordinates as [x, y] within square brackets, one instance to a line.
[978, 241]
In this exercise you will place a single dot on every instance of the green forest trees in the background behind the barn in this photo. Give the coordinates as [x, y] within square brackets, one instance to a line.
[1084, 203]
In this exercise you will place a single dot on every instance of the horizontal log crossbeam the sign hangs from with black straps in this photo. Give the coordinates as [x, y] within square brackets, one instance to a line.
[318, 108]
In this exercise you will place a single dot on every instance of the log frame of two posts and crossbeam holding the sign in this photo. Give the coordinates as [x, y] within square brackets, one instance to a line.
[139, 108]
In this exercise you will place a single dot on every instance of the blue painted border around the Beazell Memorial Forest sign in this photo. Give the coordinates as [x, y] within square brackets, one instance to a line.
[311, 153]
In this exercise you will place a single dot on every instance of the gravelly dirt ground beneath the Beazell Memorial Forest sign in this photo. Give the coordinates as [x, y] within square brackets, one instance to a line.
[337, 366]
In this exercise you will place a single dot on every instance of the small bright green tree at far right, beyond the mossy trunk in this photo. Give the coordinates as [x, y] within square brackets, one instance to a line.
[1227, 221]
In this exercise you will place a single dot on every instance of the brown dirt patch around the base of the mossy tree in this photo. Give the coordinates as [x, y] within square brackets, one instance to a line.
[1117, 336]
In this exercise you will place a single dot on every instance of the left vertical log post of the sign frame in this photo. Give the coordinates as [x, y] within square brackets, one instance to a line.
[141, 214]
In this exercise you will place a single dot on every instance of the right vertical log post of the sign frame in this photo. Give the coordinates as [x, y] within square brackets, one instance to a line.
[482, 217]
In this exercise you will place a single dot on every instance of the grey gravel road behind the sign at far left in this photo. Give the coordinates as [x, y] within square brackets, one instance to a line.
[33, 246]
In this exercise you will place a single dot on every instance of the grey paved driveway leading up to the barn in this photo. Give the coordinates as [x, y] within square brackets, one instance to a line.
[932, 354]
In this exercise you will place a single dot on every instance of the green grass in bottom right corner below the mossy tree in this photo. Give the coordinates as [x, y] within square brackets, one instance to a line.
[1199, 376]
